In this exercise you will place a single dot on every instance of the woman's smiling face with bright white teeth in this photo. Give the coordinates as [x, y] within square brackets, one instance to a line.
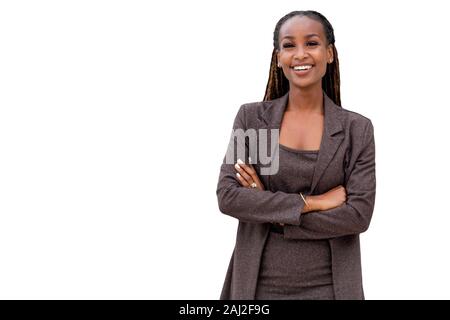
[302, 42]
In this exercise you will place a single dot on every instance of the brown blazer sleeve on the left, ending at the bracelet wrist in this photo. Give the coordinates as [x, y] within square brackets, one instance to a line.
[254, 205]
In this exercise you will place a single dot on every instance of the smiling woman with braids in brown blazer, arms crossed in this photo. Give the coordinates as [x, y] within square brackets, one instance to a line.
[300, 220]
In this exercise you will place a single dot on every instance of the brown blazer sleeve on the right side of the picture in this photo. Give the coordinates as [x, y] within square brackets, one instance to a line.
[352, 217]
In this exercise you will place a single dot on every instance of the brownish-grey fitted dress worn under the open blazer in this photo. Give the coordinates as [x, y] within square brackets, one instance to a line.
[291, 268]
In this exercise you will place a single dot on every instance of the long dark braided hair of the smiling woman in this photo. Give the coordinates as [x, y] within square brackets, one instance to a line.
[278, 84]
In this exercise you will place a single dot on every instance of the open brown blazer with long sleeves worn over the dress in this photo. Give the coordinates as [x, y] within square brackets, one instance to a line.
[346, 157]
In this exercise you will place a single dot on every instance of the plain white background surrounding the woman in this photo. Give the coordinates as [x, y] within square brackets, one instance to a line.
[115, 117]
